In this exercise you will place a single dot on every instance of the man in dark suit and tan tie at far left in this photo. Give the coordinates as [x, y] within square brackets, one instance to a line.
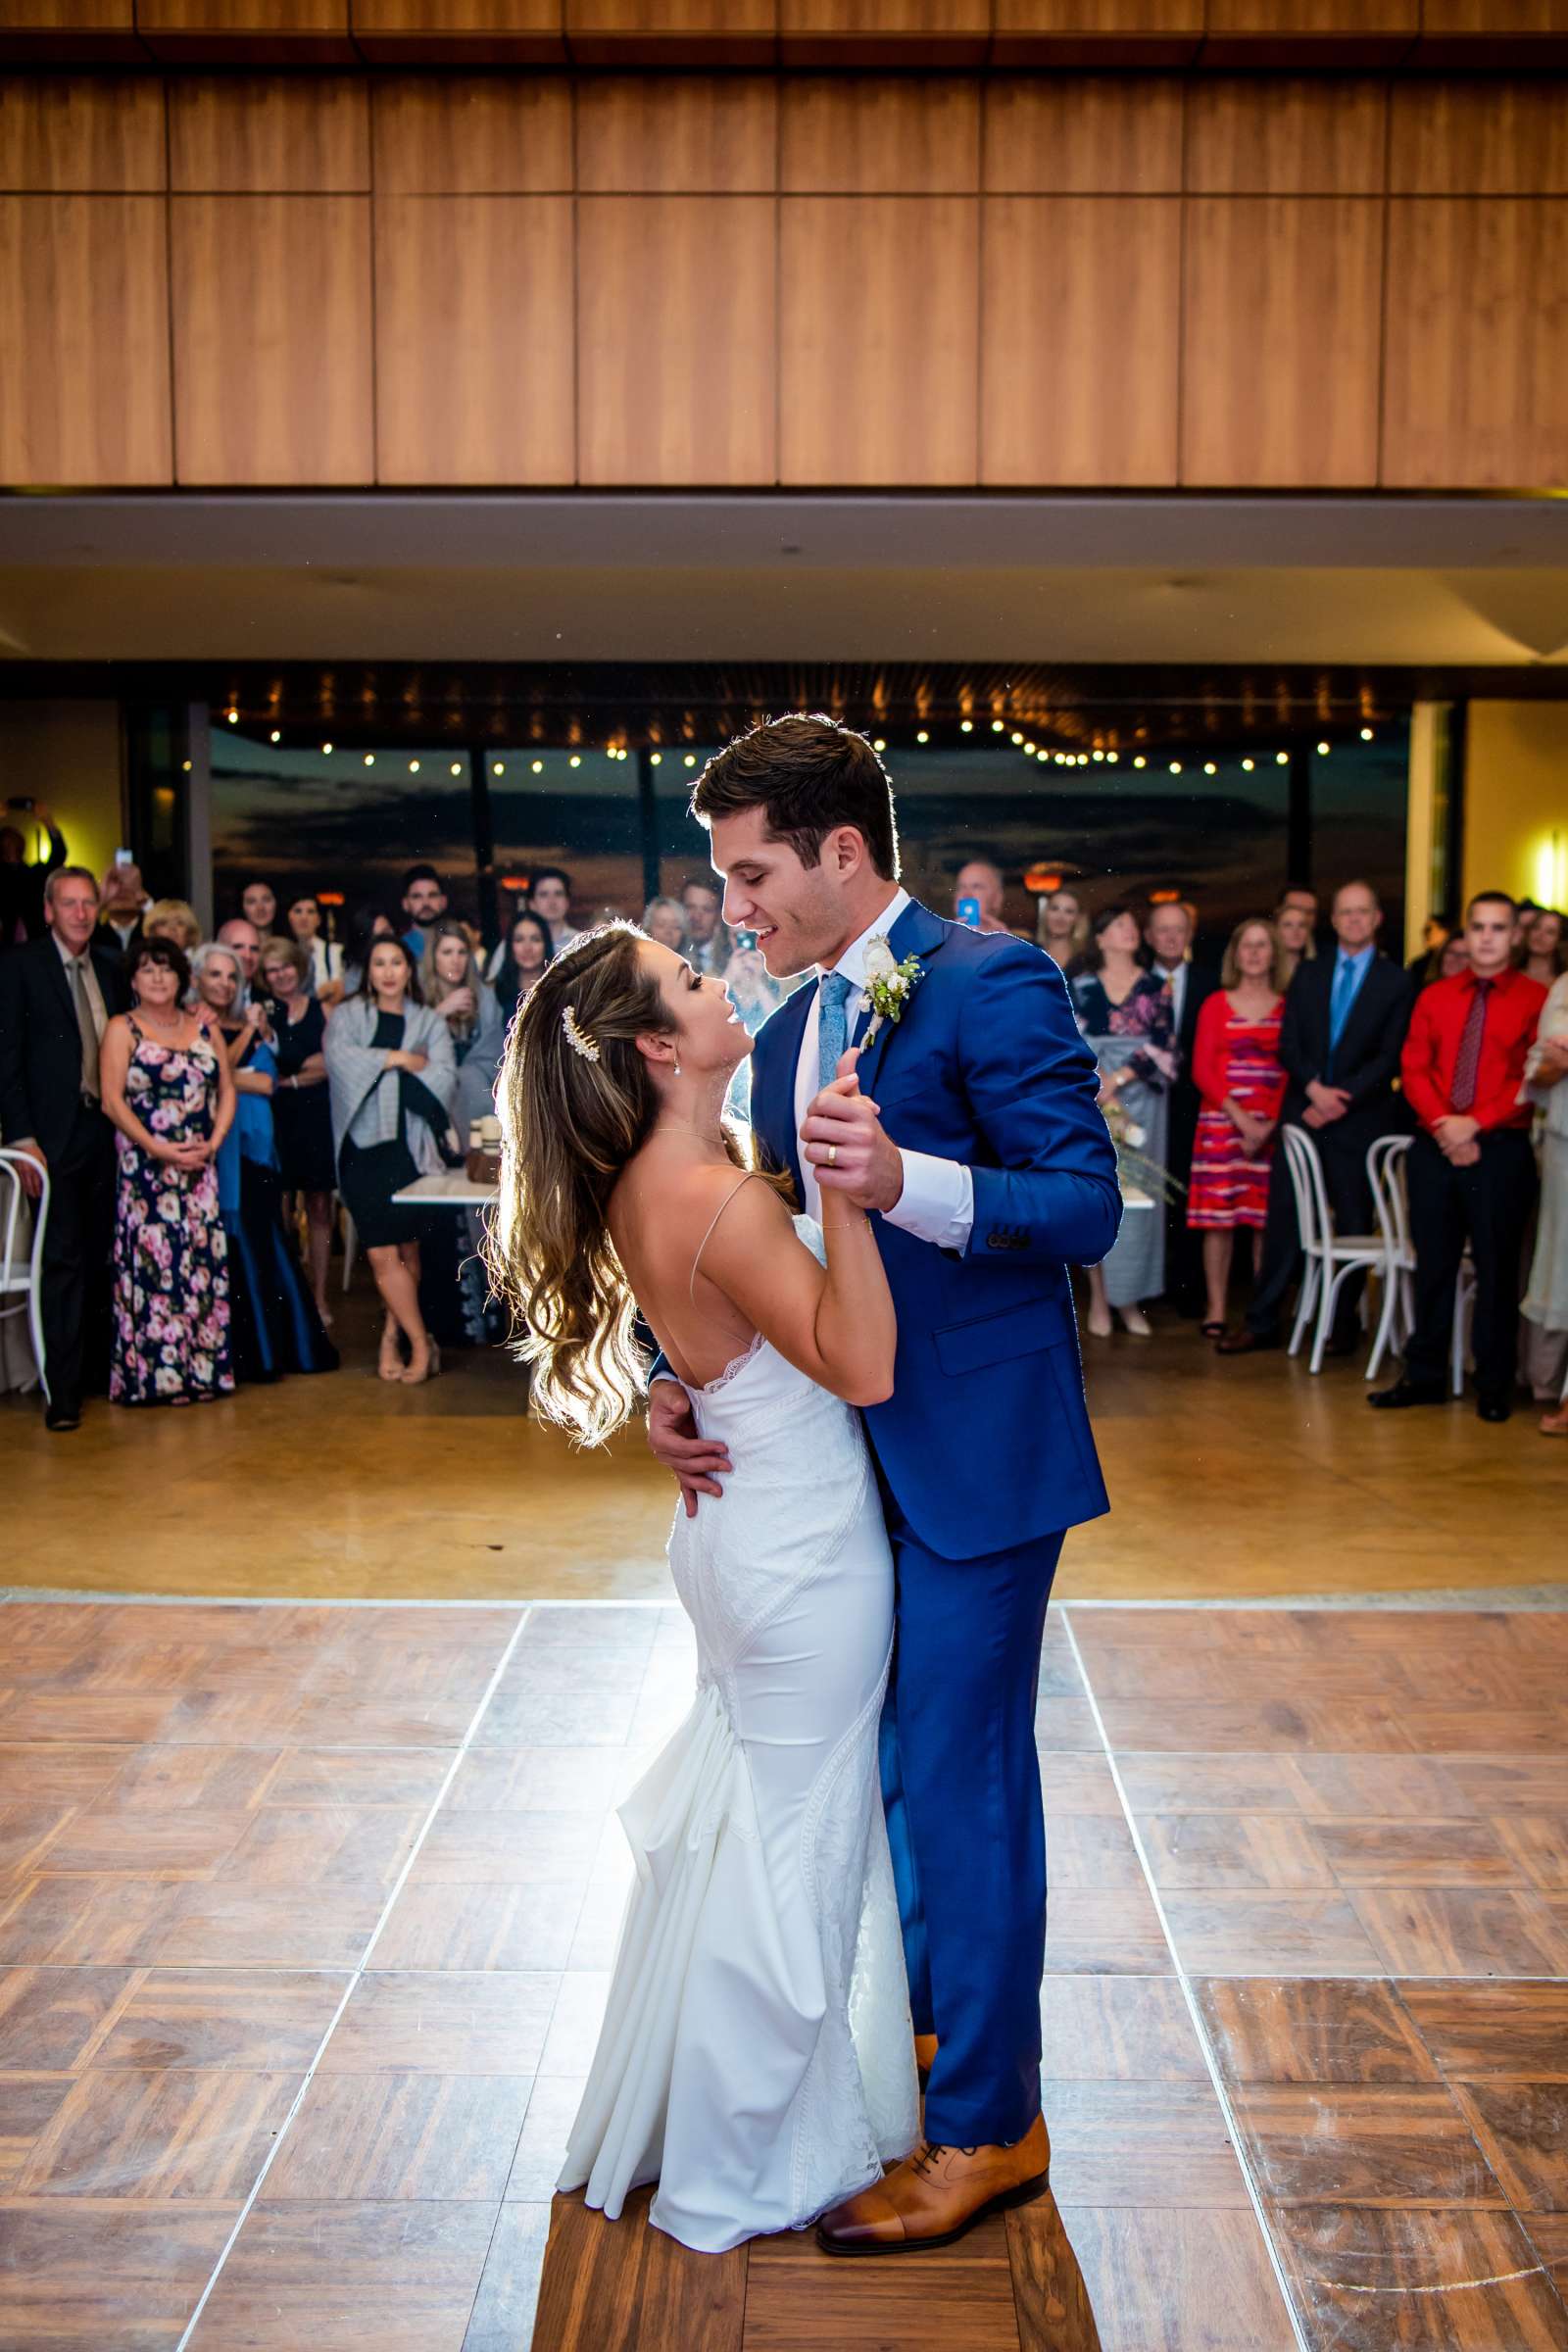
[58, 998]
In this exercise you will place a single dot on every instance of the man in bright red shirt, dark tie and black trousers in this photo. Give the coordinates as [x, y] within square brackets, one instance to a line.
[1470, 1170]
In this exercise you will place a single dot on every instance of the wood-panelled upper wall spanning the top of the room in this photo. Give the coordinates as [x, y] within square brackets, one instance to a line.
[939, 281]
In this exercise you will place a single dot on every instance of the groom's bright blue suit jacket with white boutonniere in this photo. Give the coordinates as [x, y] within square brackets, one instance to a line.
[986, 1438]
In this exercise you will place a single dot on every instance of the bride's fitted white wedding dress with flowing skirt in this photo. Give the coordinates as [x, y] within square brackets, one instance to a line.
[758, 2052]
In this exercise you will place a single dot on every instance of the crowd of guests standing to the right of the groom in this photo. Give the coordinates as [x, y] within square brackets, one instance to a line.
[1463, 1053]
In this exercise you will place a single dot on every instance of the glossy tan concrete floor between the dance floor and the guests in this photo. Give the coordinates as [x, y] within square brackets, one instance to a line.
[1228, 1481]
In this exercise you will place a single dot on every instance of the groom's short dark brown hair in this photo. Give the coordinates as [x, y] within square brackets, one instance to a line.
[808, 775]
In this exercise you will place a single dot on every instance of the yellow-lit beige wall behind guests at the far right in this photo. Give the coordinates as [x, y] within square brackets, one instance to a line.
[1517, 801]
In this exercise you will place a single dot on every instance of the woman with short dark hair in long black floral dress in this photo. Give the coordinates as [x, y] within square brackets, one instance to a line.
[170, 1095]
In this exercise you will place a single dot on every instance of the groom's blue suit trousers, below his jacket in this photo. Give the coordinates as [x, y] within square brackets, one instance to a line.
[960, 1784]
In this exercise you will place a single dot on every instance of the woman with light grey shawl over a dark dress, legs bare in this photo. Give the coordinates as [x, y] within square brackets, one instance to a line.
[394, 1081]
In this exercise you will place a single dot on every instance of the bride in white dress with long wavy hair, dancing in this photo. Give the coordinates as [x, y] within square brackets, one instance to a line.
[758, 2057]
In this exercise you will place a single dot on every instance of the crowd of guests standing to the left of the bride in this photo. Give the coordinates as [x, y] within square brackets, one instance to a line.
[203, 1107]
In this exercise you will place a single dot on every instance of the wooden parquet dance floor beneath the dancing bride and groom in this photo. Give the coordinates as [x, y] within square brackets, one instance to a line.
[307, 1916]
